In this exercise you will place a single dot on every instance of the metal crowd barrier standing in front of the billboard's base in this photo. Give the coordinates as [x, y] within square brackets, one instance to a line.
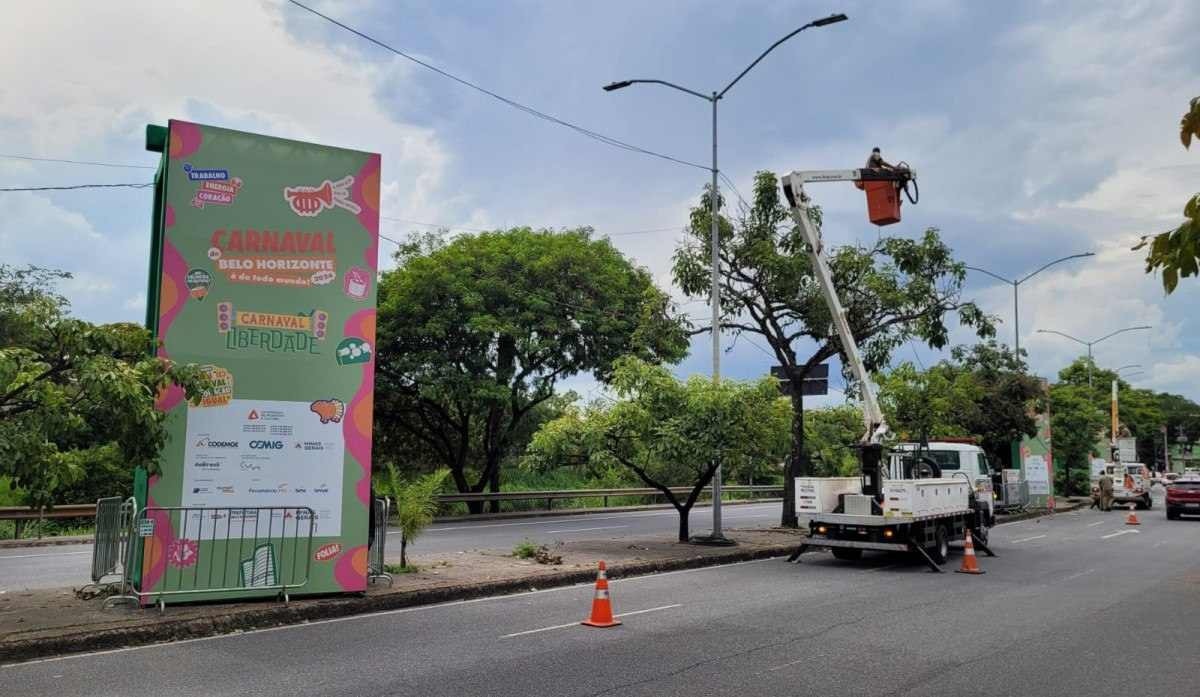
[223, 550]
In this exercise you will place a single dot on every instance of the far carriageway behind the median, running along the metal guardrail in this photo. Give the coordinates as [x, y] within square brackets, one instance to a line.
[59, 567]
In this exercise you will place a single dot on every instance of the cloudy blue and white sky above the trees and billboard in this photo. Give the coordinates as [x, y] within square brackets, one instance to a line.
[1039, 129]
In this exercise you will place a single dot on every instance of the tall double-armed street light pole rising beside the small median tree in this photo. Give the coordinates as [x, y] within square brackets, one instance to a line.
[718, 537]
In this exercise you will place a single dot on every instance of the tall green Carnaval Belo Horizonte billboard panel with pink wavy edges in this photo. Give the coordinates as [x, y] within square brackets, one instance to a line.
[265, 272]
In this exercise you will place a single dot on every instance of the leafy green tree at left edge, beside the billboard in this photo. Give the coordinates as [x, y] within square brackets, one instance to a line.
[77, 400]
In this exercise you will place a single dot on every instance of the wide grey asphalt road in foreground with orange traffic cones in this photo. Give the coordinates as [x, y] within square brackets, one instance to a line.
[1079, 604]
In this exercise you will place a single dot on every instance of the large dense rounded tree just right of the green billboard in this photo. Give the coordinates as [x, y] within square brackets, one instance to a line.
[476, 334]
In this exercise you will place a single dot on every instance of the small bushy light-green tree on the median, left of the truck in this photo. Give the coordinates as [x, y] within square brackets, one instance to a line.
[671, 432]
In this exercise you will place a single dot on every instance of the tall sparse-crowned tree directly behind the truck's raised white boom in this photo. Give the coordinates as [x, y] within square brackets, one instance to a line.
[895, 291]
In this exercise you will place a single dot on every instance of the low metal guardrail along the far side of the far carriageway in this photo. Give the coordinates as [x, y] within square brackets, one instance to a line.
[89, 510]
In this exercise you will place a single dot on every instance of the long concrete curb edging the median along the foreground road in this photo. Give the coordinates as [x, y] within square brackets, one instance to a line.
[304, 611]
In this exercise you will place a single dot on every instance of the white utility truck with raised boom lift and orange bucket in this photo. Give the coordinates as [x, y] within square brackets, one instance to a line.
[902, 502]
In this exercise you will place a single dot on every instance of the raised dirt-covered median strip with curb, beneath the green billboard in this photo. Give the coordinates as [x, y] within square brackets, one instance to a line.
[46, 623]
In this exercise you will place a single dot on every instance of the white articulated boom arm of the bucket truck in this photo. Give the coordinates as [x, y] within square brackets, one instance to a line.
[794, 189]
